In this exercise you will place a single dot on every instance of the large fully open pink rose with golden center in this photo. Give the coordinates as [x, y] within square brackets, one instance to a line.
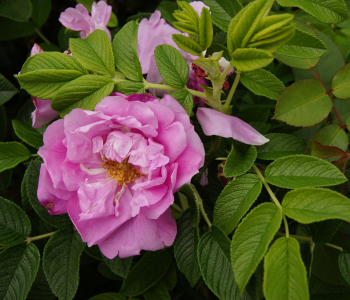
[115, 169]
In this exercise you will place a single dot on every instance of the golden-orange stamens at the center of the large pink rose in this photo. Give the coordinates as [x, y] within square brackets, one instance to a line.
[122, 172]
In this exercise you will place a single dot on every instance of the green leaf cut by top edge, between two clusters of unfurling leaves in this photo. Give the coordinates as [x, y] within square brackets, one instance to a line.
[223, 11]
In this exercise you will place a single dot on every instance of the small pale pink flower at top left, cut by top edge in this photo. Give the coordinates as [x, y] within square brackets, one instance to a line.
[78, 18]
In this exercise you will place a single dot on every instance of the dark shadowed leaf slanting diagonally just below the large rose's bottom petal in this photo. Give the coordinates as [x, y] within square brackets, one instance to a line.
[140, 278]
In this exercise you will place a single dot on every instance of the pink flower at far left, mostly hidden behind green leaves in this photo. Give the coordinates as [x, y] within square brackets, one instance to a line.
[43, 112]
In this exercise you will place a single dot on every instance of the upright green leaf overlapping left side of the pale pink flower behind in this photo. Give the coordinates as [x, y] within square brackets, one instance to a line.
[125, 51]
